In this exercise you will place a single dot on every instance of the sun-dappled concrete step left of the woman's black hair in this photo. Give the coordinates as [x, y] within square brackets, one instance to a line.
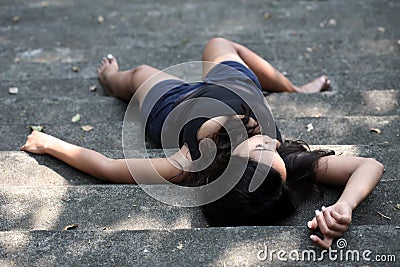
[93, 207]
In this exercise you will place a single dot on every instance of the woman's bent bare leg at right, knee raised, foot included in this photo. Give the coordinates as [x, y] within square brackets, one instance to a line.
[219, 49]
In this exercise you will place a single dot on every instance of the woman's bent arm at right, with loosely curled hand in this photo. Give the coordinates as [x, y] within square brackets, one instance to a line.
[360, 176]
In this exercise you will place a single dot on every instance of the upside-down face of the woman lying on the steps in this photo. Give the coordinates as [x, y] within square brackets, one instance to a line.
[262, 149]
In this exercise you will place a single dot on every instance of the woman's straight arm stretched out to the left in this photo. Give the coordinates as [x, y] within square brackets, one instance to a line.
[102, 167]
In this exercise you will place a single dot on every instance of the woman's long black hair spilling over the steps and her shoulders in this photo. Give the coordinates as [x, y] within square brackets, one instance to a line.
[274, 199]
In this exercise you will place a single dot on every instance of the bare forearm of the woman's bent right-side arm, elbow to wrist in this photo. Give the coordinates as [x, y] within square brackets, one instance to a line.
[361, 183]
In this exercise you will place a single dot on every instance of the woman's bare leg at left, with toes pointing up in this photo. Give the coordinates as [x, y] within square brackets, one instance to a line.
[125, 84]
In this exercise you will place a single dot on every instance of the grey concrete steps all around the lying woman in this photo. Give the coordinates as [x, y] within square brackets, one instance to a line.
[356, 43]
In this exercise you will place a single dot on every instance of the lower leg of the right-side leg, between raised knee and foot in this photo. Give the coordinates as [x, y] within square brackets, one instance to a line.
[269, 77]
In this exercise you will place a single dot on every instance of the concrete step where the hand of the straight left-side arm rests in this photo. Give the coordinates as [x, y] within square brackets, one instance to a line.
[346, 130]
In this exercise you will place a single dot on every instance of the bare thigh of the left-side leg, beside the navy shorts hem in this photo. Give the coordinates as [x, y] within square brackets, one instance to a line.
[144, 78]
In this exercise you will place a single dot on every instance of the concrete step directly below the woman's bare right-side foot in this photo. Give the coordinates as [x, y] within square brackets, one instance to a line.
[23, 110]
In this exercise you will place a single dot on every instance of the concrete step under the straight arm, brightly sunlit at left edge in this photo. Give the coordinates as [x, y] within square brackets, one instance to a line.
[23, 169]
